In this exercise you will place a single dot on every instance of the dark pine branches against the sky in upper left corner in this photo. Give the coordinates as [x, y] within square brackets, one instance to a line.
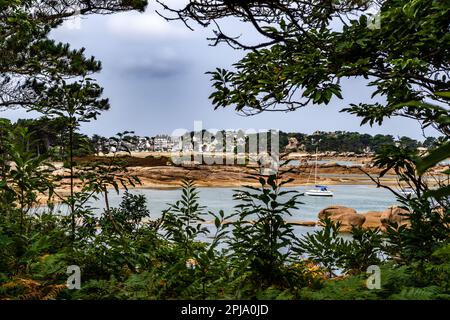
[27, 54]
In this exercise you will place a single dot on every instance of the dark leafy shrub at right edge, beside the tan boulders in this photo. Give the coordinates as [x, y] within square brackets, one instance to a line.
[429, 214]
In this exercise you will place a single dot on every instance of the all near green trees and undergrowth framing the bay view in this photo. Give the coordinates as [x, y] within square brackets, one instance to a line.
[251, 253]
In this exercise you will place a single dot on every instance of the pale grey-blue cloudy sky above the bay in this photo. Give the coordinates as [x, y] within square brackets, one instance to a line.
[154, 75]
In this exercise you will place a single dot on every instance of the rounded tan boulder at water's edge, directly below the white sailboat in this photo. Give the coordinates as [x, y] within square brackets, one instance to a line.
[348, 217]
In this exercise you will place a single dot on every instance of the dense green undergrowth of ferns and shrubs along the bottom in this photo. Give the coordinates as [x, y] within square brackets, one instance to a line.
[123, 254]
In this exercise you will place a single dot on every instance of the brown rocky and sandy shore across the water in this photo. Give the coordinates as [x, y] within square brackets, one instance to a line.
[156, 173]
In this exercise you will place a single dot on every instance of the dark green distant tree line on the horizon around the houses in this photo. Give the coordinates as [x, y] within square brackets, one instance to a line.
[50, 135]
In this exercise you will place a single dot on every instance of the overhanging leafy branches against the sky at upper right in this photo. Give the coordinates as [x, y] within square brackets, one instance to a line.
[286, 70]
